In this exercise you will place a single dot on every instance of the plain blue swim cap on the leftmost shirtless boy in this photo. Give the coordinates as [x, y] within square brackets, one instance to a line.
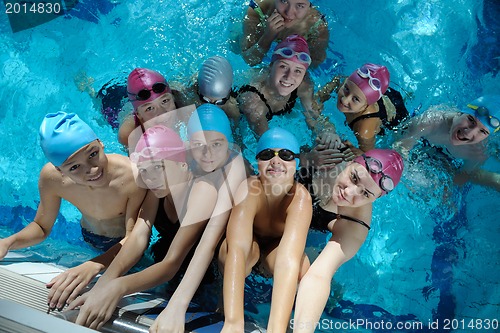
[62, 134]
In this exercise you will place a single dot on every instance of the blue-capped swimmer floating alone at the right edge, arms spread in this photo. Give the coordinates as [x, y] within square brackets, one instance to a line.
[461, 133]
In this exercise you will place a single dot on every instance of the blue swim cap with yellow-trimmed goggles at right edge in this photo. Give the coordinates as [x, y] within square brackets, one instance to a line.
[487, 110]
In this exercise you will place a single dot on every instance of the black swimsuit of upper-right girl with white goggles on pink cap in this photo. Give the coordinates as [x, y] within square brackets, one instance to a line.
[391, 103]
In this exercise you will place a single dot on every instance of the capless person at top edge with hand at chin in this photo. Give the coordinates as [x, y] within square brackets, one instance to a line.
[267, 21]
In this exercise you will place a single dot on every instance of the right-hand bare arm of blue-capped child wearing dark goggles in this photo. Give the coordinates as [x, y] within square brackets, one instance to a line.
[288, 259]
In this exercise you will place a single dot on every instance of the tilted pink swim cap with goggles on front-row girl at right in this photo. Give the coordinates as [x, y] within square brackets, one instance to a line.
[384, 165]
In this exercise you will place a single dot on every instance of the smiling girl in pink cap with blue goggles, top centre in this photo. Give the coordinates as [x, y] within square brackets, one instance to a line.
[274, 91]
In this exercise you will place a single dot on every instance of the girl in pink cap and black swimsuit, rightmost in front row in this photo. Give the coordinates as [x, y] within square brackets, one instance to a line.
[342, 205]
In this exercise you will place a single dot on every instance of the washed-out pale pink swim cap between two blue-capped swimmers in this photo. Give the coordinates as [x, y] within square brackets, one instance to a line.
[159, 143]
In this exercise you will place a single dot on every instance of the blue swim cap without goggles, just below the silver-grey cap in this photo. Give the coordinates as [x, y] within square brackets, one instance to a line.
[209, 117]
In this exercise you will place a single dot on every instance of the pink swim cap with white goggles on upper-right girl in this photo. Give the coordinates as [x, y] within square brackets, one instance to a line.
[373, 80]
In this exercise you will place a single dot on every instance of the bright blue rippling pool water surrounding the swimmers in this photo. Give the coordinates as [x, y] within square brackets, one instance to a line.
[432, 254]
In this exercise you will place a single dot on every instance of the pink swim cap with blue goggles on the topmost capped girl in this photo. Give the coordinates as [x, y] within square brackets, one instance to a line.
[293, 48]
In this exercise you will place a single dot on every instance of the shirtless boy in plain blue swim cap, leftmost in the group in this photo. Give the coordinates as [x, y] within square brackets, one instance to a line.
[100, 186]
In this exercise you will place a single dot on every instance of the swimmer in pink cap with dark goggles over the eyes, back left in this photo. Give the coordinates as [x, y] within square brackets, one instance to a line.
[150, 95]
